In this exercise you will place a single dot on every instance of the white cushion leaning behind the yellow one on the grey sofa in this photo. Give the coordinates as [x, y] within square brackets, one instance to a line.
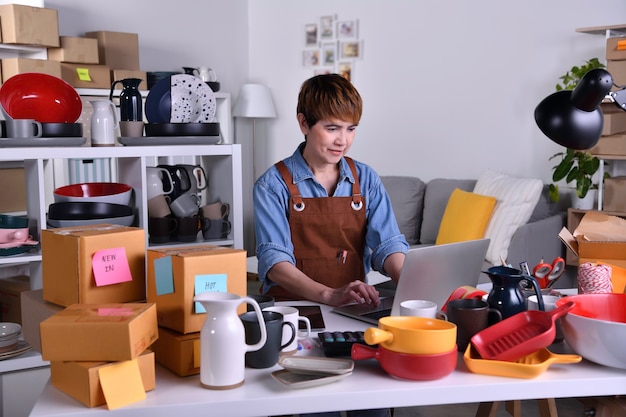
[516, 199]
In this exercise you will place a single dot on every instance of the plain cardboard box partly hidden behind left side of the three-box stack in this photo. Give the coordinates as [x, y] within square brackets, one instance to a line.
[35, 310]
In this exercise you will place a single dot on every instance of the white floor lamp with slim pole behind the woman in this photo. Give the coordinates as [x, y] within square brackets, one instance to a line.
[254, 102]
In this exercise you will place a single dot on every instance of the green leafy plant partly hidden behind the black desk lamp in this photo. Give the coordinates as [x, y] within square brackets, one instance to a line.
[575, 166]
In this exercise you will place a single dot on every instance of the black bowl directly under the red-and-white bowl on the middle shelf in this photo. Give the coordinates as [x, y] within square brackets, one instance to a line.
[87, 210]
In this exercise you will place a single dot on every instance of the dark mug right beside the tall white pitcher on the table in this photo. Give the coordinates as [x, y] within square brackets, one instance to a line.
[267, 356]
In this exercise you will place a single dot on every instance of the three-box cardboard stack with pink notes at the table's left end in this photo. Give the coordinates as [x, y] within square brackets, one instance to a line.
[100, 328]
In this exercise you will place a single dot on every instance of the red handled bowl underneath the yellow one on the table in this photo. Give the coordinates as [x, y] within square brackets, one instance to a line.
[409, 366]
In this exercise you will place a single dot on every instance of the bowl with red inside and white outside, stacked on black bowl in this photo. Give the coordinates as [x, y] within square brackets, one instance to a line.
[104, 192]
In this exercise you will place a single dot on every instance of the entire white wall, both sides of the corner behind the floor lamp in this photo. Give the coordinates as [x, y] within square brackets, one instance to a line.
[449, 86]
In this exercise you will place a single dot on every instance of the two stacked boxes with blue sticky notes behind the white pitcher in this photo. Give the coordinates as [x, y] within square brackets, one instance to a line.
[175, 276]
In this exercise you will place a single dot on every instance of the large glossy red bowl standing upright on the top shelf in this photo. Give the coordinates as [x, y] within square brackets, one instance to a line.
[42, 97]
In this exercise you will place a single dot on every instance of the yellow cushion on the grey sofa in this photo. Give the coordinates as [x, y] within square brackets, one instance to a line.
[466, 217]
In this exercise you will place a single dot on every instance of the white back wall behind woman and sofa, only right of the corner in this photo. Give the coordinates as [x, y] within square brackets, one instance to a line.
[449, 86]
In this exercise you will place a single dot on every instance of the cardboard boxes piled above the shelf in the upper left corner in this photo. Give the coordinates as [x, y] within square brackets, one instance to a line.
[92, 61]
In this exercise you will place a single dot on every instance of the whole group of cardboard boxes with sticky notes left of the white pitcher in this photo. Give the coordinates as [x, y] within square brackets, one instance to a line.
[93, 312]
